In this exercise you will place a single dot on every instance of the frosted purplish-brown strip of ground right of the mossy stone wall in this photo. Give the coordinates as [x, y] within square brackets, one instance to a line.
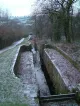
[70, 74]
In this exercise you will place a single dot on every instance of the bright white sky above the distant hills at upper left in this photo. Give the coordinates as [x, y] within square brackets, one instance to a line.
[18, 7]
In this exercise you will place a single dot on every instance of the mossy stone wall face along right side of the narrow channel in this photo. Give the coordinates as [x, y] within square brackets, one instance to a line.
[58, 83]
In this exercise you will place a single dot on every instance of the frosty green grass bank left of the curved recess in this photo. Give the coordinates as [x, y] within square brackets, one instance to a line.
[11, 90]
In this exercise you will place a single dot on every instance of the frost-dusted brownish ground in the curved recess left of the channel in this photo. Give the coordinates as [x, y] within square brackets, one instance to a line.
[27, 76]
